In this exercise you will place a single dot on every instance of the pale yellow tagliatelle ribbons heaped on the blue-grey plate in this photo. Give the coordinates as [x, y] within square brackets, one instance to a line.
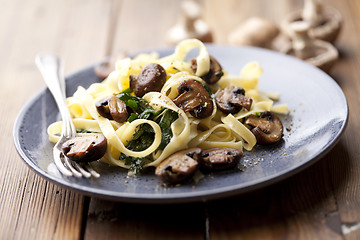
[185, 130]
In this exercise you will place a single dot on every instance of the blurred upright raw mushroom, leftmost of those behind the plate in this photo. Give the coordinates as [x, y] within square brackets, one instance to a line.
[189, 25]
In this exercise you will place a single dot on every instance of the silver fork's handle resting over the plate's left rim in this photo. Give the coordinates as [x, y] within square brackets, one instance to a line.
[51, 68]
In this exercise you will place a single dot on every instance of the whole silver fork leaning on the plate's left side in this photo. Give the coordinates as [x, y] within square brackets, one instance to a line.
[51, 68]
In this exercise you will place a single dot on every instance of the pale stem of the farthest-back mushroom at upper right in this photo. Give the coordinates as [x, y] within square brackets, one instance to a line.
[312, 12]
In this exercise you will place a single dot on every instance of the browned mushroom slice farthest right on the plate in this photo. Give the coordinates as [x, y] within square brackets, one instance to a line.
[267, 128]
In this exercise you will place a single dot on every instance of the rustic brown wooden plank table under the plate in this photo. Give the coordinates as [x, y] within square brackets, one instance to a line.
[322, 202]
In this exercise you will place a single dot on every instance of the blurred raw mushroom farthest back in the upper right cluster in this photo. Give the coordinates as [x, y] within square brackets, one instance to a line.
[324, 21]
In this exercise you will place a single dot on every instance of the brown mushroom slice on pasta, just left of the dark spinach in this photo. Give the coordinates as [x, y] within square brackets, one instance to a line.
[112, 108]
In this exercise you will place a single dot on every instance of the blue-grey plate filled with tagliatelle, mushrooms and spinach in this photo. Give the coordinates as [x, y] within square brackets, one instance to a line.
[188, 123]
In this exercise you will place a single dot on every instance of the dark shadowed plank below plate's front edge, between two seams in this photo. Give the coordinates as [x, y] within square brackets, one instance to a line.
[110, 220]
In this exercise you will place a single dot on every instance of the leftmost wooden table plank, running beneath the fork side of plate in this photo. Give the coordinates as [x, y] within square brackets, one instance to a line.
[30, 206]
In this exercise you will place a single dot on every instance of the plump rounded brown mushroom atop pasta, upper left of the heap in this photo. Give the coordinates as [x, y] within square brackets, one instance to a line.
[151, 79]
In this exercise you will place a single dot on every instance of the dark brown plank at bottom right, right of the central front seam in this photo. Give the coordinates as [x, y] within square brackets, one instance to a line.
[302, 207]
